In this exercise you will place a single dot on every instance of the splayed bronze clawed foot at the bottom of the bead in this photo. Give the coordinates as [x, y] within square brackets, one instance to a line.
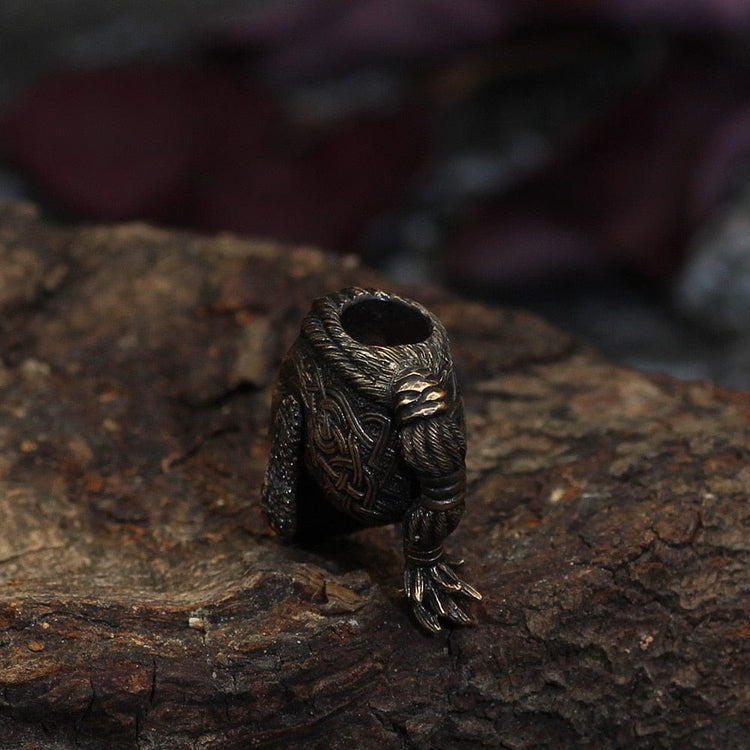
[433, 590]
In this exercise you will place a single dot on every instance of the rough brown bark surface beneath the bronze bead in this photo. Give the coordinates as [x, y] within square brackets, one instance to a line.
[144, 602]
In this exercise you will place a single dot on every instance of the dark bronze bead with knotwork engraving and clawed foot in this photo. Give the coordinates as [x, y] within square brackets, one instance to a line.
[368, 429]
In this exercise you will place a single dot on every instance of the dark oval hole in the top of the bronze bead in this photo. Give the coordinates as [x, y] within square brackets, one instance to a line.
[385, 322]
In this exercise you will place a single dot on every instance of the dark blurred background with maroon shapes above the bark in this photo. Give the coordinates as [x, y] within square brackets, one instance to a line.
[587, 159]
